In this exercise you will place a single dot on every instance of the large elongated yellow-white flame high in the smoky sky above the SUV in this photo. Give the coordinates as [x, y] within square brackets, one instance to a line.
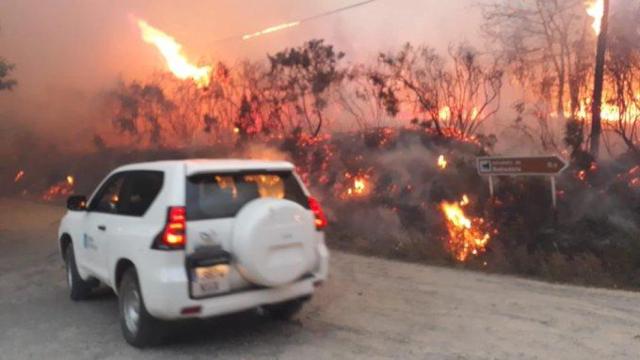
[171, 51]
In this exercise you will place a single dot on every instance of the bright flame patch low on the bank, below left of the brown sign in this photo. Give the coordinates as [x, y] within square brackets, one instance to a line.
[467, 235]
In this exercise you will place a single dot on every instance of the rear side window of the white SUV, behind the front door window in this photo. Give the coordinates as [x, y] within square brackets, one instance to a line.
[138, 192]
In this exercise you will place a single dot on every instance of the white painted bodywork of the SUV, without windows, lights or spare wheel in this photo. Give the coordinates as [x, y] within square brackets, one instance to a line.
[101, 241]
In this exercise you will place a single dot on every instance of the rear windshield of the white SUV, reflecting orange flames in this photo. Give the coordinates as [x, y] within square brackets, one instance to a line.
[222, 195]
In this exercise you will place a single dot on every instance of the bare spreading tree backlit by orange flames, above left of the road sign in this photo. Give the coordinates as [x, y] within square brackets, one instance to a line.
[456, 99]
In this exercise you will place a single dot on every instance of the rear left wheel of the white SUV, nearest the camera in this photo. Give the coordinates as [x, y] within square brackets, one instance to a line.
[139, 328]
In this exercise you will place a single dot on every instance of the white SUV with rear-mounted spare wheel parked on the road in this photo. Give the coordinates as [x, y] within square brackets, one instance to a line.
[195, 238]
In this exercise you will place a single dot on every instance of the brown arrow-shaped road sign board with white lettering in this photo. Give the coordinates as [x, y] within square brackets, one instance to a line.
[527, 165]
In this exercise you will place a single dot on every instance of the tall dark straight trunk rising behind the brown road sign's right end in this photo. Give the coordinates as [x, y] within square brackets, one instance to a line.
[596, 125]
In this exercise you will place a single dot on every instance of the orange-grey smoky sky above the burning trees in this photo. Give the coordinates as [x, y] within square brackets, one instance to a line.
[67, 52]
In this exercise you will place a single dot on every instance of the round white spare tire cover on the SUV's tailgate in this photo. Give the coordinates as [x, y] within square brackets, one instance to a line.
[274, 241]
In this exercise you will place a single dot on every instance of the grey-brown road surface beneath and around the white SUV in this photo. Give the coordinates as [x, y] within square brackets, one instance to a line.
[370, 308]
